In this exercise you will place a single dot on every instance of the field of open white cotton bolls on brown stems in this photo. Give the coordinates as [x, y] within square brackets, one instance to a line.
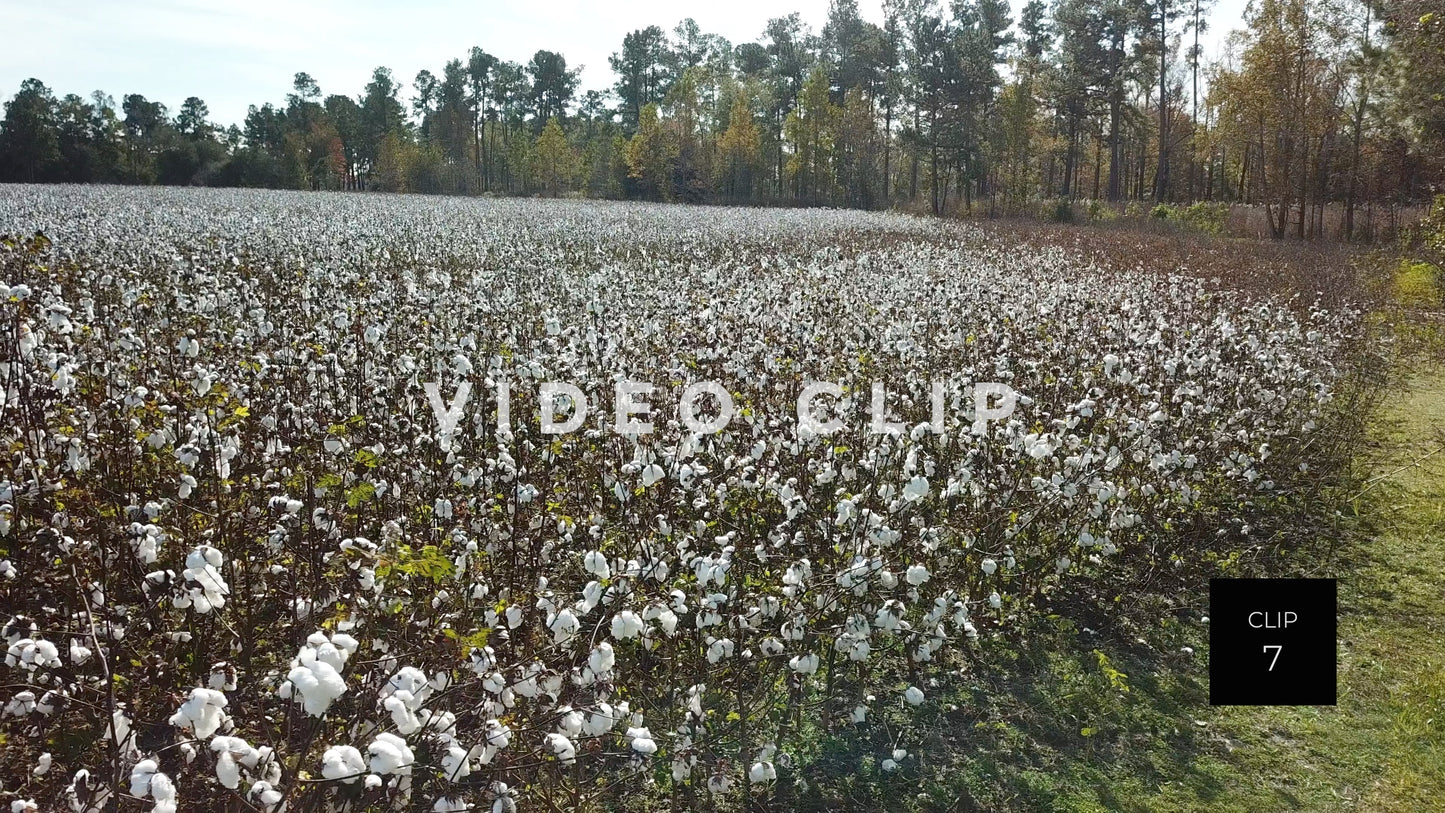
[287, 526]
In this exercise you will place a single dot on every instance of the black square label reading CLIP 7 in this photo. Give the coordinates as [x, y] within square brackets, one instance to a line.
[1272, 642]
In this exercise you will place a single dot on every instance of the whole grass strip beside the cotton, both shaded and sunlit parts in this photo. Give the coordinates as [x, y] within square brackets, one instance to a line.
[1076, 721]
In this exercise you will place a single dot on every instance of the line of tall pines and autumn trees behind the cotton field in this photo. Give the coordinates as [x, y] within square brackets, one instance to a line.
[943, 108]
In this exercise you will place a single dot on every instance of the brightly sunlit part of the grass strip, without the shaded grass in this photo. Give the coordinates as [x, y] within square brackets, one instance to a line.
[1382, 749]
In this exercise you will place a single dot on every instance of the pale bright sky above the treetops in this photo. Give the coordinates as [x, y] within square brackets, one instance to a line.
[239, 54]
